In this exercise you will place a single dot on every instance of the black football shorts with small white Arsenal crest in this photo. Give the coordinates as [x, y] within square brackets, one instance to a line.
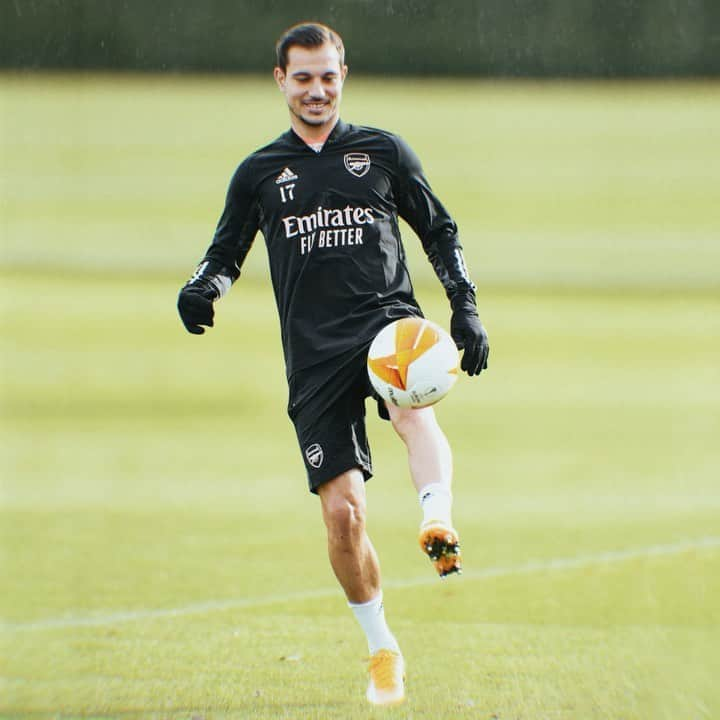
[327, 407]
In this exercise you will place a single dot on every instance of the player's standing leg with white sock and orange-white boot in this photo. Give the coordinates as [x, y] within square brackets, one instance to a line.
[356, 567]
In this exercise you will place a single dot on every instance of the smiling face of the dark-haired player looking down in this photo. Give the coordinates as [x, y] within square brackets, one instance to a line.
[312, 84]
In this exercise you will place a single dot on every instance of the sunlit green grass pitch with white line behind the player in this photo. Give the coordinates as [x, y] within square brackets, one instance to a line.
[161, 556]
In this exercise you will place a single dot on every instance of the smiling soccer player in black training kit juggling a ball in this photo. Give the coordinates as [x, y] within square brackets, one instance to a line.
[326, 196]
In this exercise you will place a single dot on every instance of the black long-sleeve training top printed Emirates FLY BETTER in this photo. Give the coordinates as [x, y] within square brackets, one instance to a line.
[330, 223]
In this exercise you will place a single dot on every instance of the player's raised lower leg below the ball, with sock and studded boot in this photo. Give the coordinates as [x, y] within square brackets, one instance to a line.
[430, 461]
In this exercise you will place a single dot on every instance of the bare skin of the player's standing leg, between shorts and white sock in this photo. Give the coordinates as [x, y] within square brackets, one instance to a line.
[352, 555]
